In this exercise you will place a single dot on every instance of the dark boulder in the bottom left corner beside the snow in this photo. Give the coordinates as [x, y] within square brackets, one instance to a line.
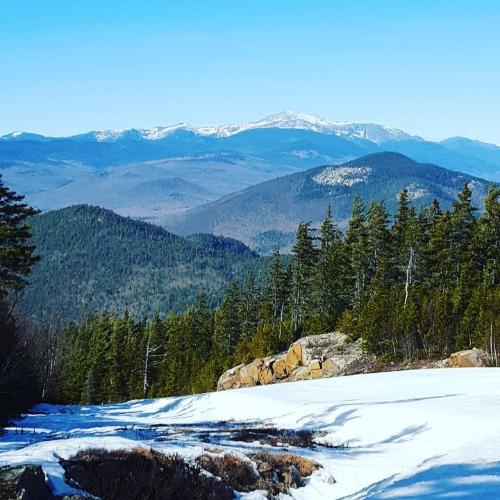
[25, 482]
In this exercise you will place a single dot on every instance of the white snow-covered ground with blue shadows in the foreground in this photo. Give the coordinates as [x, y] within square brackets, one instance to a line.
[411, 434]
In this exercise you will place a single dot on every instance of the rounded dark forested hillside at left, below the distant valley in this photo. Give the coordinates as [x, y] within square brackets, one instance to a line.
[94, 260]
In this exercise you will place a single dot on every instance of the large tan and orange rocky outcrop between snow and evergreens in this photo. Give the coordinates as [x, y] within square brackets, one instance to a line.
[316, 356]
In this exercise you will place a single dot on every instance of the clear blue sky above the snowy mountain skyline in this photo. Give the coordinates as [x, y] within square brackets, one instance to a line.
[427, 67]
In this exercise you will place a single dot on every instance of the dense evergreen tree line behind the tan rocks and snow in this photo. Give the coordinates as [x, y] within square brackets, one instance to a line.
[421, 284]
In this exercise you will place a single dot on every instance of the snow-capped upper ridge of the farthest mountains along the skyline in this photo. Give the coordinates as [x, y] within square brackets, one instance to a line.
[284, 120]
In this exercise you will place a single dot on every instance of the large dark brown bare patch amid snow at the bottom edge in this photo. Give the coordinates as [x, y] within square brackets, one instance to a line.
[141, 474]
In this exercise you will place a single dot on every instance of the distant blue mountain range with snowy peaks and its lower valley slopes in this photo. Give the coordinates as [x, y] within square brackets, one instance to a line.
[153, 173]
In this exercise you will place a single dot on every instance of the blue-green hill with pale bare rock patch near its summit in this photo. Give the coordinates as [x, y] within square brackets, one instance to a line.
[276, 207]
